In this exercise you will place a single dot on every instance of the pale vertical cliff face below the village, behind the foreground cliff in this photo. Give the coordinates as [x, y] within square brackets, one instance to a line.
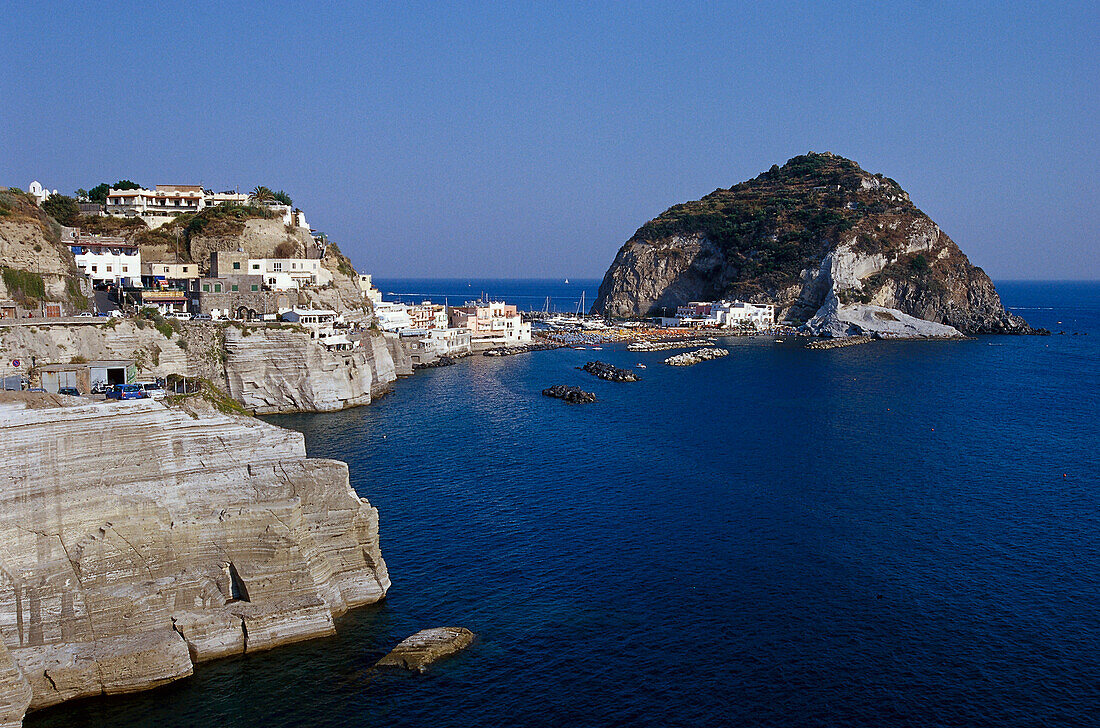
[284, 371]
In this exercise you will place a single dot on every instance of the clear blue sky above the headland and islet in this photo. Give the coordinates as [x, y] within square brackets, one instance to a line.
[530, 140]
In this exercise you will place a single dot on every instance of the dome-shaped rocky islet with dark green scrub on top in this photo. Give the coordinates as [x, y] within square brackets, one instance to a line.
[798, 235]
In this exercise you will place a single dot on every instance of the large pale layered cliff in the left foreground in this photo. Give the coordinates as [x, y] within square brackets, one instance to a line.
[138, 541]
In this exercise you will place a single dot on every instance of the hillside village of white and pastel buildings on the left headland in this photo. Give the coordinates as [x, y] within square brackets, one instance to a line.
[185, 257]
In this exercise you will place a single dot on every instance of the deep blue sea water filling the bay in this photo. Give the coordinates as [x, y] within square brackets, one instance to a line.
[892, 535]
